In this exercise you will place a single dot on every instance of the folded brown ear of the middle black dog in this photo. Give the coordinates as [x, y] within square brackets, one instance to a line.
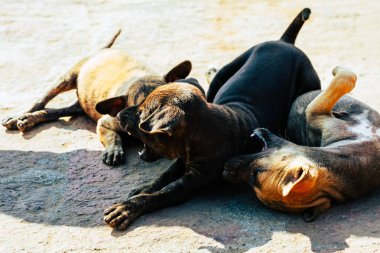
[163, 120]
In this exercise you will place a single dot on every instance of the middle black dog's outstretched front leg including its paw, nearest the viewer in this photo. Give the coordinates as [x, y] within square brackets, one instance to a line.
[122, 214]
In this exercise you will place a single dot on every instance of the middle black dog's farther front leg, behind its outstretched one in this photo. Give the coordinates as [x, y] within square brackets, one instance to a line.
[175, 171]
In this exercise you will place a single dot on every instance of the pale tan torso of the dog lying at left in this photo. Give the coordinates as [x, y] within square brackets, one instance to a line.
[103, 76]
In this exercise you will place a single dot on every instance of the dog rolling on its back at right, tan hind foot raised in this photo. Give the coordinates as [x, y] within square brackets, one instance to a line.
[335, 155]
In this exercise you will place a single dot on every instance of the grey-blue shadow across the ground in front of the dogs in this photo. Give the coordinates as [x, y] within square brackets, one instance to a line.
[74, 188]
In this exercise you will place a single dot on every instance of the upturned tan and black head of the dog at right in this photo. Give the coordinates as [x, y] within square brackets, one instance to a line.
[283, 175]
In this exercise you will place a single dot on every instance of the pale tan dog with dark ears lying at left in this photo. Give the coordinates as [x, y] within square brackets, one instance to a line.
[109, 79]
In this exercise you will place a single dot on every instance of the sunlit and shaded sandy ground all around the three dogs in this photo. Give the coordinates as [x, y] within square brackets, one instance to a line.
[53, 186]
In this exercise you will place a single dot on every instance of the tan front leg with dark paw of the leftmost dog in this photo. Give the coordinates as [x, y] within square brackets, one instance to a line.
[112, 142]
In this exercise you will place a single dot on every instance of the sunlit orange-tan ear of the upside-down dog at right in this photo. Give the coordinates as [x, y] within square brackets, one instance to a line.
[299, 179]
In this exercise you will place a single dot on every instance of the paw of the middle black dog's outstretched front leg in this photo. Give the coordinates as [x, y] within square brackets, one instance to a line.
[120, 215]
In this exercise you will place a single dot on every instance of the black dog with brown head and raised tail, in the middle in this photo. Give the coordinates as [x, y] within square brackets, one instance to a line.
[176, 120]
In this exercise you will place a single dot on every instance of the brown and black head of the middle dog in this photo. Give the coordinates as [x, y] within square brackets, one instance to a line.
[162, 120]
